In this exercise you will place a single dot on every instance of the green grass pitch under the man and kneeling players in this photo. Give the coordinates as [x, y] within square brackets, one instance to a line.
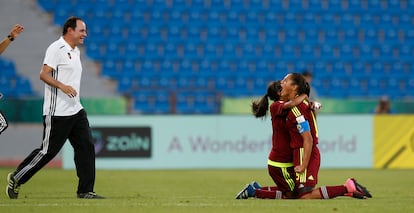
[53, 190]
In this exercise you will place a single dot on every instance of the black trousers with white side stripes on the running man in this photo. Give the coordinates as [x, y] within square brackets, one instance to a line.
[56, 130]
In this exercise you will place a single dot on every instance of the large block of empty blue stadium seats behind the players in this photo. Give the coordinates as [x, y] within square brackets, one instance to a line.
[193, 51]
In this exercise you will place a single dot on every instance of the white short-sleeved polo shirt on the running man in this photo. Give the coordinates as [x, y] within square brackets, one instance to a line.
[67, 68]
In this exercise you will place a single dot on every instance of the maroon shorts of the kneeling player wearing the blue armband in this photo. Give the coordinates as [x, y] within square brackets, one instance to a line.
[307, 181]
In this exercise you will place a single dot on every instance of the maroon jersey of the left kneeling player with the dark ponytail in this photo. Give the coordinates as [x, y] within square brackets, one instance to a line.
[281, 151]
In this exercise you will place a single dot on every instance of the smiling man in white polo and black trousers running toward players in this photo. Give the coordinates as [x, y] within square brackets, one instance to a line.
[63, 115]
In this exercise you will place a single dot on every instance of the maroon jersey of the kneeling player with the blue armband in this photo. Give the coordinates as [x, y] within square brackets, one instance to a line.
[303, 109]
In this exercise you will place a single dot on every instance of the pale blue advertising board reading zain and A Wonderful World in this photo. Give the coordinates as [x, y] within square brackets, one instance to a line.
[188, 142]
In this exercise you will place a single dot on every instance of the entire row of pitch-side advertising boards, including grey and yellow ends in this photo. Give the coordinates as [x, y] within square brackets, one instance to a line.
[173, 142]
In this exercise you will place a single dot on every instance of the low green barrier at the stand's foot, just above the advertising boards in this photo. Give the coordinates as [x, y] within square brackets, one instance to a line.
[27, 110]
